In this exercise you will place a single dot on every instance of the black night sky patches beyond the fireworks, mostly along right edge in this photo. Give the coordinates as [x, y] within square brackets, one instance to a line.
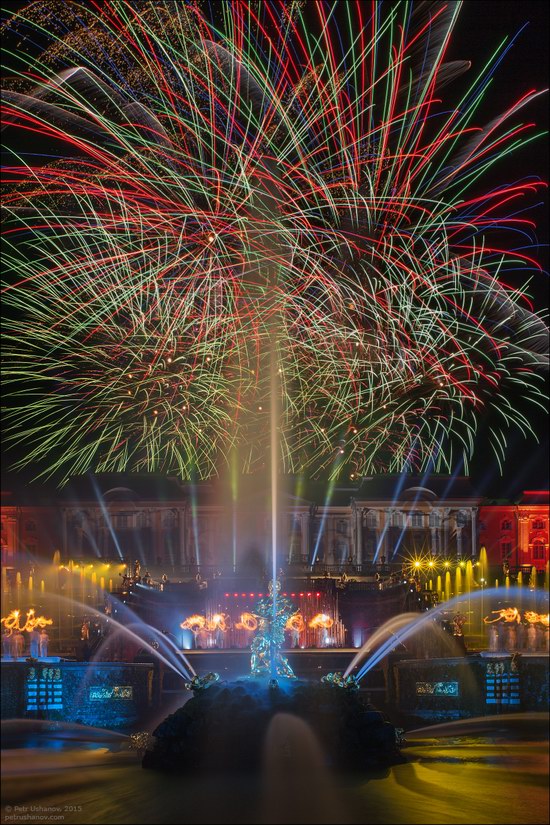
[483, 24]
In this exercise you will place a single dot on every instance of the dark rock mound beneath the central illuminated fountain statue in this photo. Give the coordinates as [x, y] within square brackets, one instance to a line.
[224, 727]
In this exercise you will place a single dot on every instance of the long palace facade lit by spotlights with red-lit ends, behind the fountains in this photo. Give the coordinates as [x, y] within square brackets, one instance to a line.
[173, 526]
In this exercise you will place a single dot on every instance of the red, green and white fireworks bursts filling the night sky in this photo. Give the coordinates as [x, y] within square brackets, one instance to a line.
[198, 195]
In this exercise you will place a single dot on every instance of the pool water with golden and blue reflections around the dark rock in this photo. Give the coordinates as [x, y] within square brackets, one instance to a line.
[490, 770]
